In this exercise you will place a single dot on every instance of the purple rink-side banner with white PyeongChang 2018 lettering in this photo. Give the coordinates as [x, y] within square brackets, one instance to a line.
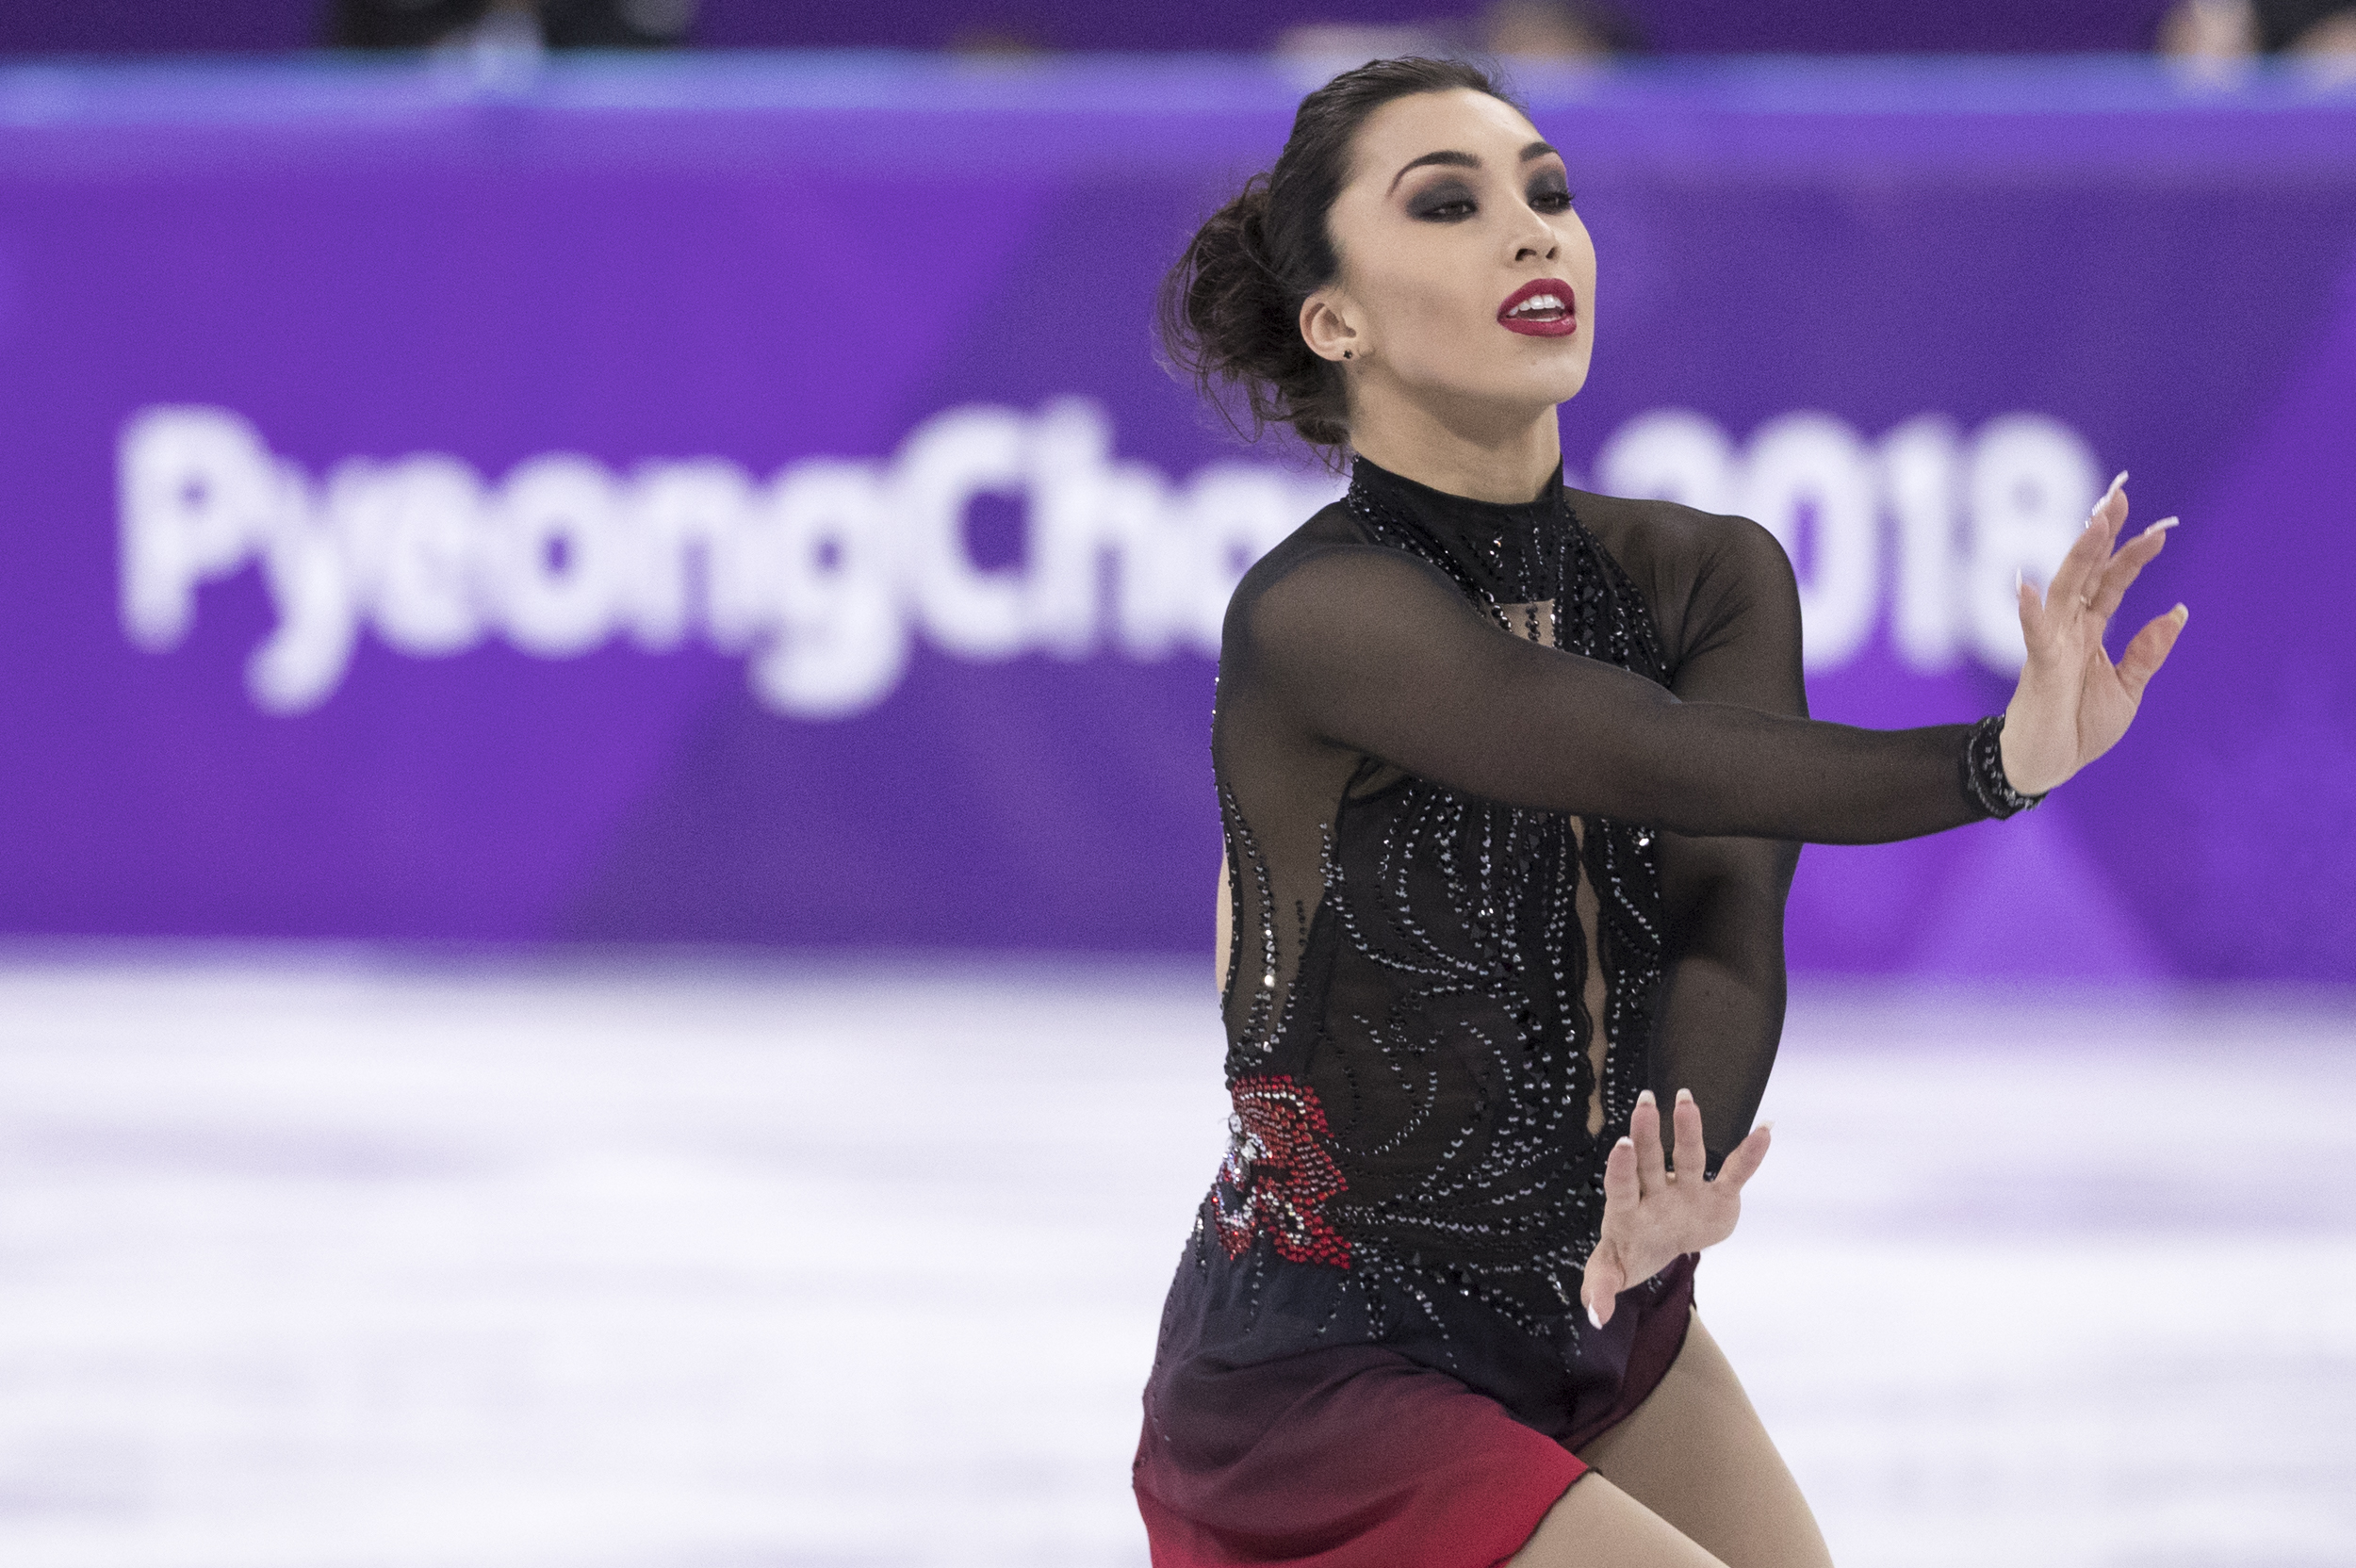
[736, 500]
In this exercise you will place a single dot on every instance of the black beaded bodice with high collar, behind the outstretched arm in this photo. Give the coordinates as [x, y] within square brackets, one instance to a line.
[1438, 1023]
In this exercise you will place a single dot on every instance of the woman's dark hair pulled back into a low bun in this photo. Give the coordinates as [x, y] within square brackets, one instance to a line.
[1231, 307]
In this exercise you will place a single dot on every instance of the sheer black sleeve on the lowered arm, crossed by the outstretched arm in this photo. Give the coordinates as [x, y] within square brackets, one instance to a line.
[1723, 999]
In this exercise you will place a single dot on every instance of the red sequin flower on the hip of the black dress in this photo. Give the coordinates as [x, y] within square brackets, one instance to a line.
[1280, 1174]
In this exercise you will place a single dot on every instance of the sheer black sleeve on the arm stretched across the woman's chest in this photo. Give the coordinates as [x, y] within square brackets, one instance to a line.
[1377, 653]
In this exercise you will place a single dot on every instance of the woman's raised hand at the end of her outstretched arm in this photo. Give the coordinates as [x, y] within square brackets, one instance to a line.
[2072, 703]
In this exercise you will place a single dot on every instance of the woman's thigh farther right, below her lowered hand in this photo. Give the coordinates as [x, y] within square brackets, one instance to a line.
[1697, 1456]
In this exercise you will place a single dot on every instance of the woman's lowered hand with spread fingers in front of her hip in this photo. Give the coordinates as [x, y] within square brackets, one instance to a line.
[1655, 1214]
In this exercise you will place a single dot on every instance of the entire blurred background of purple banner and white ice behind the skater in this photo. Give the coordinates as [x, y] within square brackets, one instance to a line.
[604, 689]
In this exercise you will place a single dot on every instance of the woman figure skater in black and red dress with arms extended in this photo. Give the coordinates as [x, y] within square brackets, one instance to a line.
[1511, 780]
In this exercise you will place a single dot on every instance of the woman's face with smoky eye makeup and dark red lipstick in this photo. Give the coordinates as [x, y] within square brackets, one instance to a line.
[1467, 281]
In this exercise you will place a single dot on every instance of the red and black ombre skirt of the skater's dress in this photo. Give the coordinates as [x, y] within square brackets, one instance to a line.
[1363, 1459]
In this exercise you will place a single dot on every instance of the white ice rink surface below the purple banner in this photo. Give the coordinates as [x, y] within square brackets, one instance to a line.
[326, 1261]
